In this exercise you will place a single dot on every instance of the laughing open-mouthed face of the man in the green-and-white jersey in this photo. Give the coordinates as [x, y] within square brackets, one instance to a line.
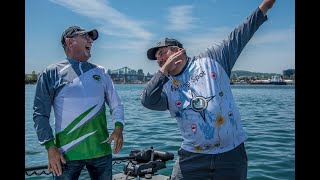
[80, 47]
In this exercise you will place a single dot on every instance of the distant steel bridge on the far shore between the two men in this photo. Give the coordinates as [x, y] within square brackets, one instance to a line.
[127, 75]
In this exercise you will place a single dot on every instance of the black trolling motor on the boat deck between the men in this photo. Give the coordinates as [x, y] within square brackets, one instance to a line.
[146, 162]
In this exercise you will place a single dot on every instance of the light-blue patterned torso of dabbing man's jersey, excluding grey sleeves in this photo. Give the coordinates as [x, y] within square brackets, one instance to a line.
[201, 101]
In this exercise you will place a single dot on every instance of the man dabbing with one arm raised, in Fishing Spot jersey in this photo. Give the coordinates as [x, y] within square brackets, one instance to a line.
[196, 91]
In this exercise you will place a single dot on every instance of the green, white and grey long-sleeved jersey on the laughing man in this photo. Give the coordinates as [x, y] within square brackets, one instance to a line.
[78, 92]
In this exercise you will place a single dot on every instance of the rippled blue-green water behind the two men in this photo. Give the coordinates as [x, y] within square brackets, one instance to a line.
[268, 116]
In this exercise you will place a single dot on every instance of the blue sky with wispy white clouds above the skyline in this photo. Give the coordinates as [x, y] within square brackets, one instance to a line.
[128, 28]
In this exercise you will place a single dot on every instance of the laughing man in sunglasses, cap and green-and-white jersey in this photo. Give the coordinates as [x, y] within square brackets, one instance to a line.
[78, 92]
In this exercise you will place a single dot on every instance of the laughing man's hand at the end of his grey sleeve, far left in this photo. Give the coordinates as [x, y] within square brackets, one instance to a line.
[55, 158]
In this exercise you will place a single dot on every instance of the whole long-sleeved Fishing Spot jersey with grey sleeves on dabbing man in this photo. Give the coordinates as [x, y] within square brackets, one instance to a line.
[200, 96]
